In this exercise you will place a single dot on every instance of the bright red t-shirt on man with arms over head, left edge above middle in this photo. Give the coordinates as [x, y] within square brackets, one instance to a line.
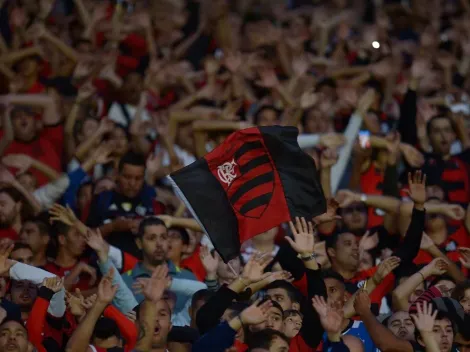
[47, 148]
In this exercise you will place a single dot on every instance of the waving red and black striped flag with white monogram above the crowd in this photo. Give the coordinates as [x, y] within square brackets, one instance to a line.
[255, 180]
